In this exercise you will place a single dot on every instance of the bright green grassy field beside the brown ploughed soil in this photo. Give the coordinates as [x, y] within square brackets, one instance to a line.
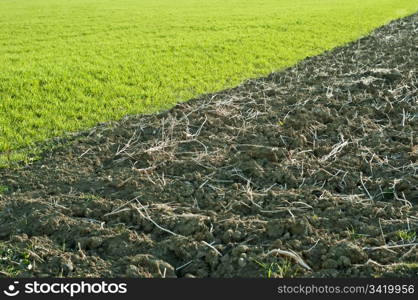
[67, 64]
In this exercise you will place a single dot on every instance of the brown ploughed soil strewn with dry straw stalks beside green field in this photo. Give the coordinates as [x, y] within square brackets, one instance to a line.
[310, 172]
